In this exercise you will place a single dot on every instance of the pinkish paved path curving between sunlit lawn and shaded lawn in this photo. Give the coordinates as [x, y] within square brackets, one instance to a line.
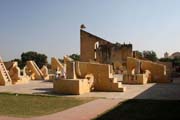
[83, 112]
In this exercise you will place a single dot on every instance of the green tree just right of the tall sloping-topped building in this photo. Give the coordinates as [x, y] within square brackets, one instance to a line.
[150, 55]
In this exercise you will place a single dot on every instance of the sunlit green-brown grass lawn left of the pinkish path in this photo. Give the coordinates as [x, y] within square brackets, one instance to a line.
[34, 105]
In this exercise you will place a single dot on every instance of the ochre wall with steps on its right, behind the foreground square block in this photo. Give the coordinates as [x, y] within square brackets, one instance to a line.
[103, 76]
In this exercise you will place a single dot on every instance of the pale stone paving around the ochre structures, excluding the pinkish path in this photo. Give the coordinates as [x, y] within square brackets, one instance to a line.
[147, 91]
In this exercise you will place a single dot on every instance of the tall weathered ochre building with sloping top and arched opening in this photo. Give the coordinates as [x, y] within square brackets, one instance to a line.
[94, 48]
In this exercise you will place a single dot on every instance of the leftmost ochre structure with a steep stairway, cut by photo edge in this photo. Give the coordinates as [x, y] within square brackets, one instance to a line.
[5, 79]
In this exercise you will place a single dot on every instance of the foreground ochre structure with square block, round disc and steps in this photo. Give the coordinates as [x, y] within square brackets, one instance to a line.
[82, 77]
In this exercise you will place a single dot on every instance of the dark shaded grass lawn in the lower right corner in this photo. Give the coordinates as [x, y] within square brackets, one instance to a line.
[144, 110]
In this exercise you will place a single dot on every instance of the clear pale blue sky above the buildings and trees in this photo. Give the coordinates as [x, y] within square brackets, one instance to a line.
[52, 26]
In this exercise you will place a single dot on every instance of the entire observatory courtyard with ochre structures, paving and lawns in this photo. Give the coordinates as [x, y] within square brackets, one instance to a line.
[109, 81]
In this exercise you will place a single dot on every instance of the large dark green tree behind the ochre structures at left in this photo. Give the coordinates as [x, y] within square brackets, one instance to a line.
[40, 59]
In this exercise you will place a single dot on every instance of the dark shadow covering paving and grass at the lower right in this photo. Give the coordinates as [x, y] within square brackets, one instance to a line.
[161, 101]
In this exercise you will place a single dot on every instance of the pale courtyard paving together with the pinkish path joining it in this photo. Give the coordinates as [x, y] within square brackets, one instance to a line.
[92, 109]
